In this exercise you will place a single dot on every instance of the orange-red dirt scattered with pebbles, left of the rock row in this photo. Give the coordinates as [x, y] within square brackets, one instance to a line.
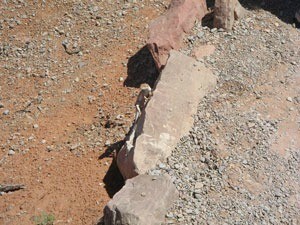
[61, 107]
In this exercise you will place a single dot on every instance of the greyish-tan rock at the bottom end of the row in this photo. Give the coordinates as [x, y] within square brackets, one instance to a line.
[143, 200]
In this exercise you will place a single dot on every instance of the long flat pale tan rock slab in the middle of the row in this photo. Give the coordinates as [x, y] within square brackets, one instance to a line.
[168, 115]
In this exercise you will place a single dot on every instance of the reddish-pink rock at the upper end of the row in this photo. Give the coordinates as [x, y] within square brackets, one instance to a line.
[166, 32]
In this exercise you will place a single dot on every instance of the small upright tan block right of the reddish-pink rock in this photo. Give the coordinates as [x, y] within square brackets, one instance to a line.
[226, 11]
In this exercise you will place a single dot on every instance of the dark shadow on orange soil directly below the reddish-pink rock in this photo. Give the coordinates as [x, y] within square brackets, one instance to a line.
[141, 69]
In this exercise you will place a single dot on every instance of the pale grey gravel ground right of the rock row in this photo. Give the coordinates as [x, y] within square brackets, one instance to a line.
[240, 163]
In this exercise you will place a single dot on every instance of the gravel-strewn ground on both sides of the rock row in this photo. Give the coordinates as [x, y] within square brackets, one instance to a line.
[62, 102]
